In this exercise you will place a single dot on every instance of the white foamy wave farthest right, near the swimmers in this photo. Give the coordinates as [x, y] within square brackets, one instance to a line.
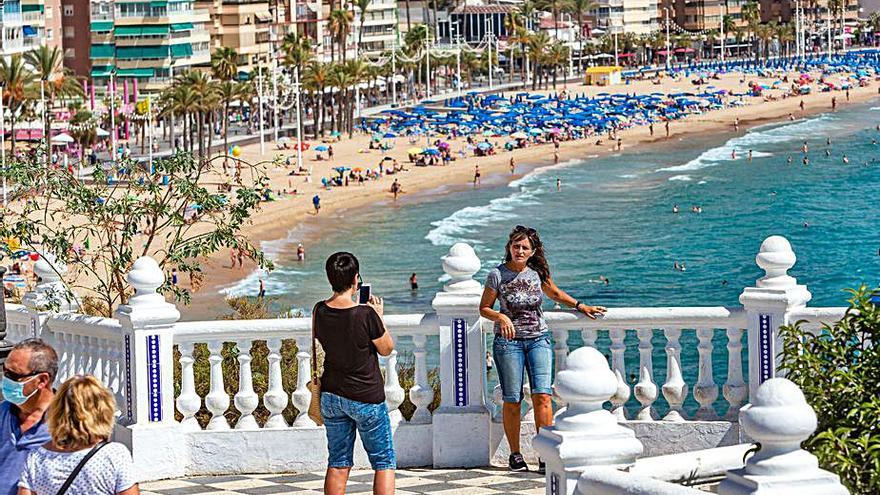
[756, 137]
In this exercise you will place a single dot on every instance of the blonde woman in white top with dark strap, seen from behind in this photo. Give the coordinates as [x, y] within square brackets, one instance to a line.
[79, 460]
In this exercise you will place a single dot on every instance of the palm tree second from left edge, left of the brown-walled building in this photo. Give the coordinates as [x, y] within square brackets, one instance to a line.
[55, 82]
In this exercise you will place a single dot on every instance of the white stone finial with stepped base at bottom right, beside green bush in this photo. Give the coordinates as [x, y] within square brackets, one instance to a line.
[779, 419]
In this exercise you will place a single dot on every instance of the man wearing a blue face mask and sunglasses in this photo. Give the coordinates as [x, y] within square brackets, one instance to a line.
[28, 375]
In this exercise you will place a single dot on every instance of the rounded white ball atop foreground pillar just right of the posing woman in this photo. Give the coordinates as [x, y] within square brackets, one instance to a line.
[586, 378]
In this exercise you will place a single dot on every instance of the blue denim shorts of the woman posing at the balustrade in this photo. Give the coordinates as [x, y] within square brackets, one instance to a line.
[516, 357]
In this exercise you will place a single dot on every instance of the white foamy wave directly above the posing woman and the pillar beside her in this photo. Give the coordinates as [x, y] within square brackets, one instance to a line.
[464, 225]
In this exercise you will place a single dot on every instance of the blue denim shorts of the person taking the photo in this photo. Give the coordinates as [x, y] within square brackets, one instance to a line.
[342, 417]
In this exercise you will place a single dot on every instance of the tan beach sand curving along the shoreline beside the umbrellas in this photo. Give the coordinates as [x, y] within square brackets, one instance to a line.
[277, 219]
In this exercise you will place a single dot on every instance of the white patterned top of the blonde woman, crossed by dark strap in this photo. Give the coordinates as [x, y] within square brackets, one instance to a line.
[109, 471]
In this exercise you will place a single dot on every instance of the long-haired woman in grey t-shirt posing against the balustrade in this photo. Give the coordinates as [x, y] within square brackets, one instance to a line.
[522, 342]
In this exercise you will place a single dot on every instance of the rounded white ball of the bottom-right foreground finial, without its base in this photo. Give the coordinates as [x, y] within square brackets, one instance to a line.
[778, 415]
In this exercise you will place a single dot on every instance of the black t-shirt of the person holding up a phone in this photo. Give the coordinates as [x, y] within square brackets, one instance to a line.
[351, 364]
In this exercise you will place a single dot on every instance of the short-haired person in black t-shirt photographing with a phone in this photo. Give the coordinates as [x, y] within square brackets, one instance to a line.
[352, 388]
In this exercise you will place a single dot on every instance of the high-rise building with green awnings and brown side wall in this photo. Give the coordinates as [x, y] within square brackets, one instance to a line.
[146, 40]
